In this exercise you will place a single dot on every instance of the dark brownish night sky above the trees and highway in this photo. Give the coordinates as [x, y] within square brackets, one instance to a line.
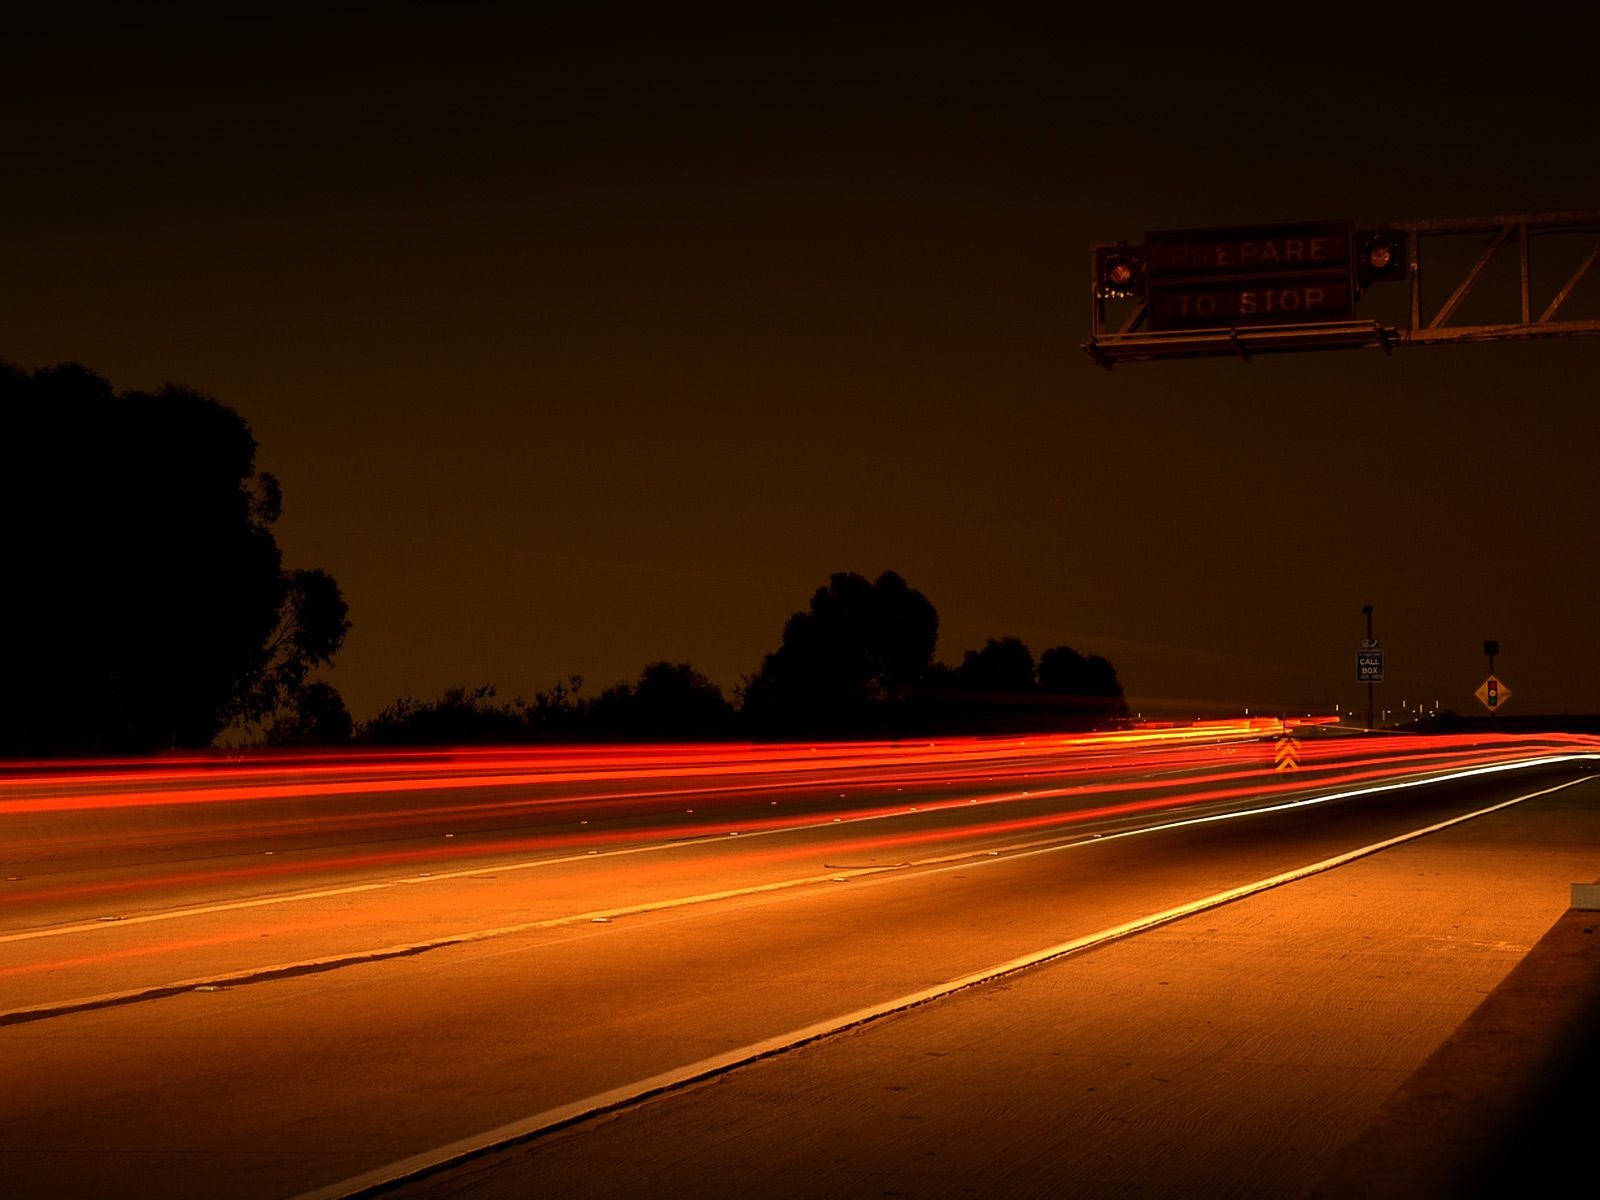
[606, 334]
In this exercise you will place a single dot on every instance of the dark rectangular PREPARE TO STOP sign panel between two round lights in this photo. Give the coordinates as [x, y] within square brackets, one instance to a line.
[1250, 276]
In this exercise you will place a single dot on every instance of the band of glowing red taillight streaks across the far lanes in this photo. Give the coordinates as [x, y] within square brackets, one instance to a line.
[516, 801]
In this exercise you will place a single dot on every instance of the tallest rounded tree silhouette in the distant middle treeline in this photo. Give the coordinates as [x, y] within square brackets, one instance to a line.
[844, 662]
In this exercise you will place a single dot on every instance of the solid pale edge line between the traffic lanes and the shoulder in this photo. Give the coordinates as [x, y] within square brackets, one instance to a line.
[505, 1137]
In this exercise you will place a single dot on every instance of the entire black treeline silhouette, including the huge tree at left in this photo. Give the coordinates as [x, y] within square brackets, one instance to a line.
[148, 607]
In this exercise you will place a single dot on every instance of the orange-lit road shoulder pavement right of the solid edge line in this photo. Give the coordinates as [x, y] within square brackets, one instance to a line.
[1422, 1023]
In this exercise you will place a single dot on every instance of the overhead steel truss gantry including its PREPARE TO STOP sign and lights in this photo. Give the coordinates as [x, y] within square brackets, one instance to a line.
[1311, 286]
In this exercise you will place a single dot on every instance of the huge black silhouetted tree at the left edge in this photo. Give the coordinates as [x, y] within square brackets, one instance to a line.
[146, 585]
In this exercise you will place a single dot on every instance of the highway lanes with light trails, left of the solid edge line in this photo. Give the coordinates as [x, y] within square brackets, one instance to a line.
[313, 977]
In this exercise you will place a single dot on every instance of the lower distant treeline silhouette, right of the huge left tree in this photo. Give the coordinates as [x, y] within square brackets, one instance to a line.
[857, 663]
